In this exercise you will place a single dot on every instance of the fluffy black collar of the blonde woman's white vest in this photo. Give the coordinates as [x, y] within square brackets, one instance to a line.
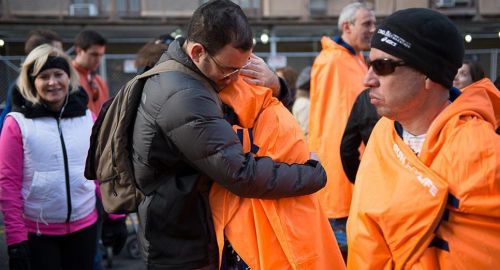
[76, 106]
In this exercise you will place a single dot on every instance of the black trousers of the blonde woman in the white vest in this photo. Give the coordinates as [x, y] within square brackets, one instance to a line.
[73, 251]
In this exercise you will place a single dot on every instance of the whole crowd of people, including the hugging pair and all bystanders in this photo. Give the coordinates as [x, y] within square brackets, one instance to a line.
[388, 162]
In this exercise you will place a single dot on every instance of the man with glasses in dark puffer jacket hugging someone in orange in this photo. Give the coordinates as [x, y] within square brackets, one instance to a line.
[181, 143]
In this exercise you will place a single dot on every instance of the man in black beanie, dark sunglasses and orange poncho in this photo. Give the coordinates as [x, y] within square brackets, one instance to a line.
[427, 192]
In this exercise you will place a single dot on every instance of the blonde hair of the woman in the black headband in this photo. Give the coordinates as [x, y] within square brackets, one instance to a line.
[34, 62]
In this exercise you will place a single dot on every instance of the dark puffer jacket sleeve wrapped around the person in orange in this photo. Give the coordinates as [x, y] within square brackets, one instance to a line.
[195, 125]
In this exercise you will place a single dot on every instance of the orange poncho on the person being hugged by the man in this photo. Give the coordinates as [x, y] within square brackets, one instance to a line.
[288, 233]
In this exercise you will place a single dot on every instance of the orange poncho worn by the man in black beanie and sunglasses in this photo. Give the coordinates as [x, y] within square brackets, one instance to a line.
[438, 210]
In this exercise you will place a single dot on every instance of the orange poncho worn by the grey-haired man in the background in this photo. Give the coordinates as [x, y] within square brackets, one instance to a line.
[336, 80]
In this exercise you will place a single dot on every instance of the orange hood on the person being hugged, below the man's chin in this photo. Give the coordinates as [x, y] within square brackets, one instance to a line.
[247, 100]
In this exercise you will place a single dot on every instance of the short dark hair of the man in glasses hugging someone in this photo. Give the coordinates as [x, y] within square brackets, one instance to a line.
[218, 23]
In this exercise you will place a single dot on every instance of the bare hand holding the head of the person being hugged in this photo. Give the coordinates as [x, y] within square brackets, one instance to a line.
[259, 73]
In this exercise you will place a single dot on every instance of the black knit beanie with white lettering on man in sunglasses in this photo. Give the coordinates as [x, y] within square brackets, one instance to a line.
[425, 39]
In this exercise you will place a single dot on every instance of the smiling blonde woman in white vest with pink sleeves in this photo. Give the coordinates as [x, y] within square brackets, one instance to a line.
[48, 205]
